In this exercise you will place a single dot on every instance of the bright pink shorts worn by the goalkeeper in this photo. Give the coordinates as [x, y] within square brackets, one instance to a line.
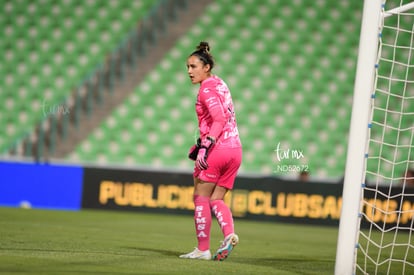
[223, 164]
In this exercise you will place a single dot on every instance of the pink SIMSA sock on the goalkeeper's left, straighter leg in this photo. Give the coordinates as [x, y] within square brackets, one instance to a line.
[202, 219]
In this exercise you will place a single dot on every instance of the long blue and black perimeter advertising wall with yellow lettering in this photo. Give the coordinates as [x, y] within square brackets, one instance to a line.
[256, 198]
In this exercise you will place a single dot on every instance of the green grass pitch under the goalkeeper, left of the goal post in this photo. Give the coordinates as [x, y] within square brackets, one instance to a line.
[111, 242]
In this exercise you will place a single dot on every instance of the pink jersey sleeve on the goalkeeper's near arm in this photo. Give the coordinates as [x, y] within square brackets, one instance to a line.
[214, 105]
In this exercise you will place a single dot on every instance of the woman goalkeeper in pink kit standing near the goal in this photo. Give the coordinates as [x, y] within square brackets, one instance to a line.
[217, 155]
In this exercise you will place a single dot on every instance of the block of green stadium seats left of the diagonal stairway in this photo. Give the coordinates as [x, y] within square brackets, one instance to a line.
[50, 47]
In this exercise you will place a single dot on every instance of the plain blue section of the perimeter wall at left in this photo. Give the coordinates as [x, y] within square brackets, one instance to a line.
[41, 185]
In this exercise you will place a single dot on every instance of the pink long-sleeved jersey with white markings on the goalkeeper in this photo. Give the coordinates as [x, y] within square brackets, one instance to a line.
[215, 113]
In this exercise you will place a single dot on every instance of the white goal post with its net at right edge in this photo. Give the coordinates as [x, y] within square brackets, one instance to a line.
[383, 239]
